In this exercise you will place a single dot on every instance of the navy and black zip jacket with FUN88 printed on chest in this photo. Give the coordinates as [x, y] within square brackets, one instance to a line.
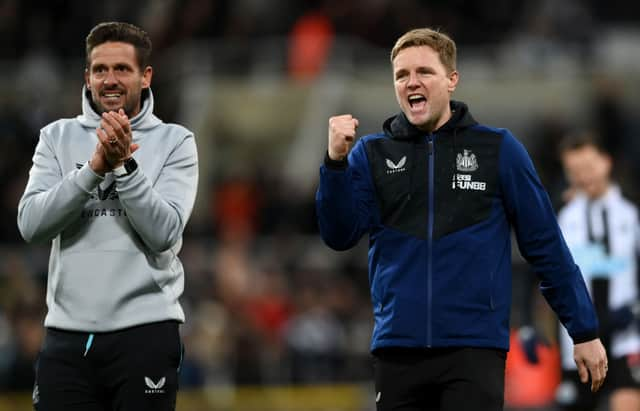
[439, 209]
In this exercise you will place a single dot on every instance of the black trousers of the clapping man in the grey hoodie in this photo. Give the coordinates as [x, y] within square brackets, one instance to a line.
[134, 369]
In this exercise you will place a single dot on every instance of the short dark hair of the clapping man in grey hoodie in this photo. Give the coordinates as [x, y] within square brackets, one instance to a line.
[124, 32]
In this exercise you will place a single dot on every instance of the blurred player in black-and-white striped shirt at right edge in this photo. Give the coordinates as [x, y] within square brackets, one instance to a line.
[601, 228]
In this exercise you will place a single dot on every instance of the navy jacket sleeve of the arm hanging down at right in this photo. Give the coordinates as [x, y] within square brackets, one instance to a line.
[541, 242]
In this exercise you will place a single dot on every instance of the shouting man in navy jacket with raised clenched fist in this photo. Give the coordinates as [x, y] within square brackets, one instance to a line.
[438, 195]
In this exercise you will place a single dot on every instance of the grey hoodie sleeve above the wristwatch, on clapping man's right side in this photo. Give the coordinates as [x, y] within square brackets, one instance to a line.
[159, 210]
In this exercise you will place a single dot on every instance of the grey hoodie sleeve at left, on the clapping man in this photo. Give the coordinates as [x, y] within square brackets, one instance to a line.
[51, 200]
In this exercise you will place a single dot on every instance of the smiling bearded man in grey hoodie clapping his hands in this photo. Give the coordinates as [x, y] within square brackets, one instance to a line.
[112, 189]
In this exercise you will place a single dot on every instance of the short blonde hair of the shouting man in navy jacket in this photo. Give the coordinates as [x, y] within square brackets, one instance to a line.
[440, 42]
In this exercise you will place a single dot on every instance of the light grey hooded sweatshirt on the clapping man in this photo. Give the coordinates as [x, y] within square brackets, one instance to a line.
[115, 240]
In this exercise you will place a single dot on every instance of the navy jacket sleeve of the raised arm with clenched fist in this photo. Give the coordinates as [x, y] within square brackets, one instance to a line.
[345, 199]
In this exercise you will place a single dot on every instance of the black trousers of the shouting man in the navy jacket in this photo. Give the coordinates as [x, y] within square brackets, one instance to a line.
[442, 379]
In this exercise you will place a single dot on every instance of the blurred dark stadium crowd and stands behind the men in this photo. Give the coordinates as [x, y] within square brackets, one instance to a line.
[276, 321]
